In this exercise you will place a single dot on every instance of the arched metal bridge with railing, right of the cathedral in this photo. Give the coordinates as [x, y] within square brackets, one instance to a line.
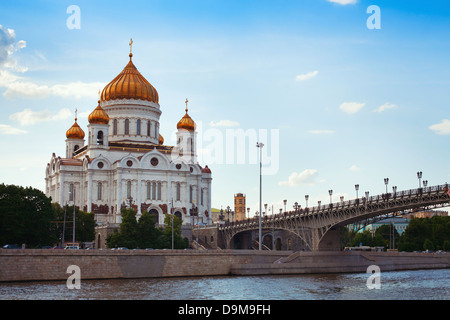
[318, 227]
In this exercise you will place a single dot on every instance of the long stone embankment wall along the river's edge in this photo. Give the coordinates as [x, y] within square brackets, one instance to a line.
[45, 264]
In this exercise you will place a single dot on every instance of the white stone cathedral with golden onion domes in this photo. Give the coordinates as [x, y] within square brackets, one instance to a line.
[125, 164]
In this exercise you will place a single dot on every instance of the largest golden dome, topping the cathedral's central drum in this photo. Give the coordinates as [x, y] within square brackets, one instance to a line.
[130, 84]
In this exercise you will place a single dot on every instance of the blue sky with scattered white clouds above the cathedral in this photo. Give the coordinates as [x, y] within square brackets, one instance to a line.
[340, 92]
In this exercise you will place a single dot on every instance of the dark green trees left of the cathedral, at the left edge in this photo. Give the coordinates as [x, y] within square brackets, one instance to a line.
[27, 216]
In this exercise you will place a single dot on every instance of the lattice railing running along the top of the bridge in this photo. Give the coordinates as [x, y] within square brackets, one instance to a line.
[343, 204]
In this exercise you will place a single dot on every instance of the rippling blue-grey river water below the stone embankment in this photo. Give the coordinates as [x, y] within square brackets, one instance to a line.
[398, 285]
